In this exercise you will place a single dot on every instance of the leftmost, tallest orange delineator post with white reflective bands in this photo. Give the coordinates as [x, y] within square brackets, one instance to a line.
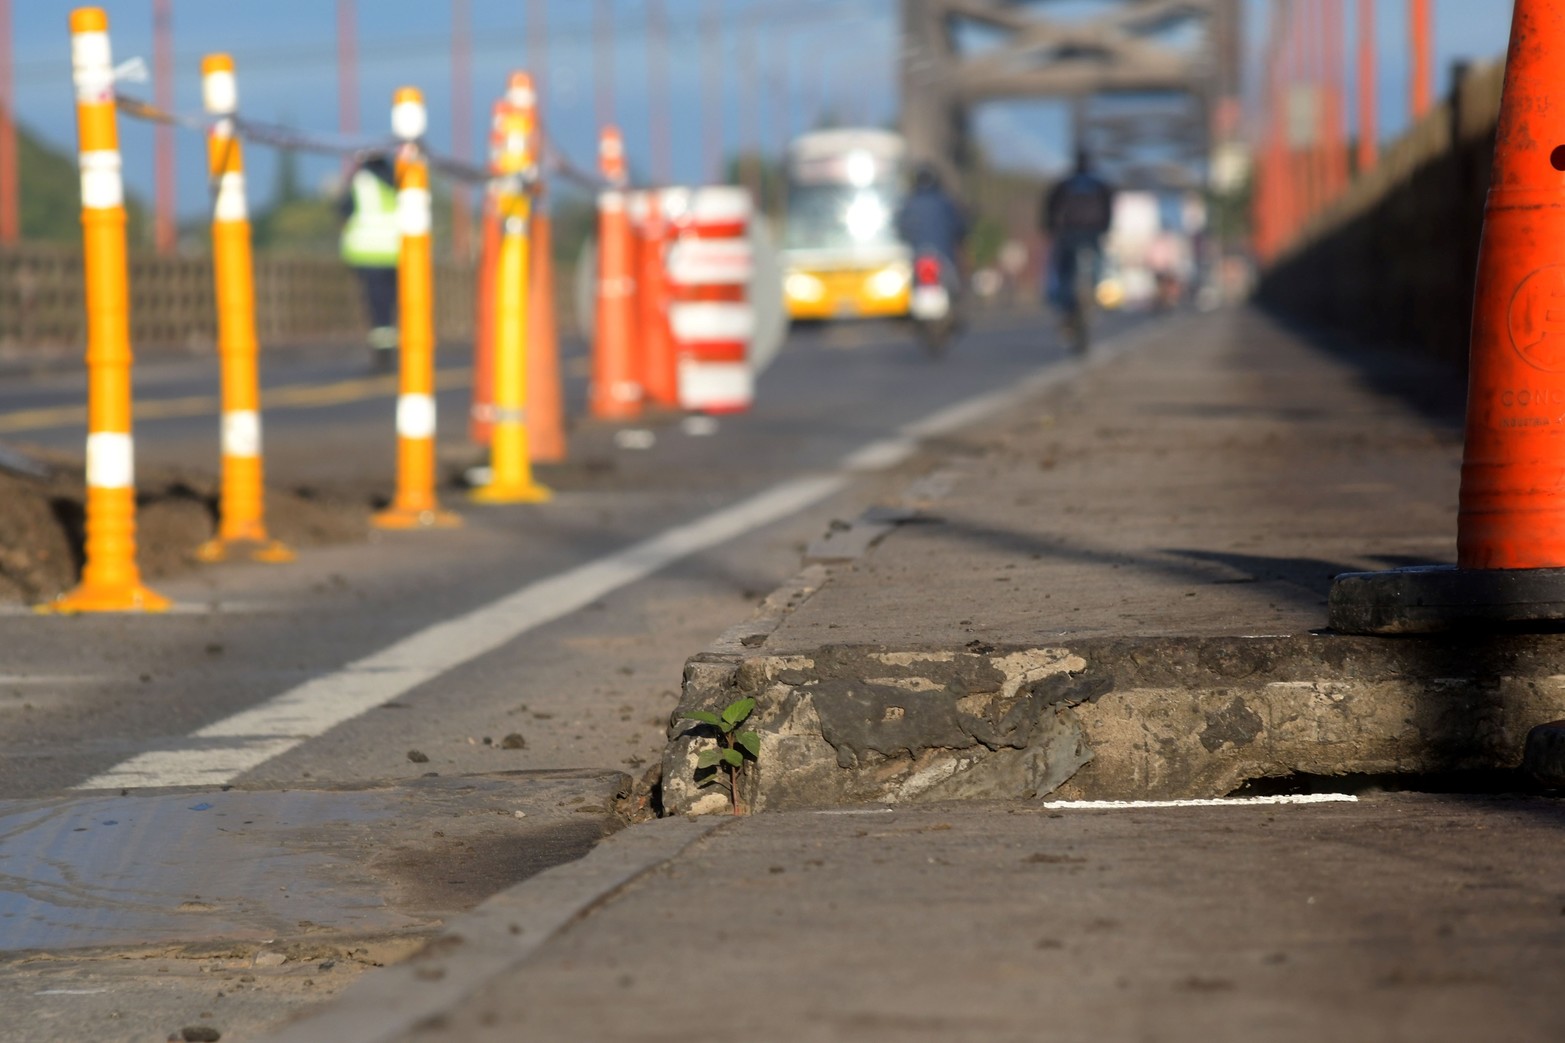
[110, 577]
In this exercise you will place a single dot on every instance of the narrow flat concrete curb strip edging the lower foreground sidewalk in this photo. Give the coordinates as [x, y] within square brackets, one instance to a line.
[492, 940]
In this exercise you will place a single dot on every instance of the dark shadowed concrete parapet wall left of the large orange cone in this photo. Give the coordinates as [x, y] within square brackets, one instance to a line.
[1394, 259]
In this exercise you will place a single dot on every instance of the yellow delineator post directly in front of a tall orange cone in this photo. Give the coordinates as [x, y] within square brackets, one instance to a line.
[511, 463]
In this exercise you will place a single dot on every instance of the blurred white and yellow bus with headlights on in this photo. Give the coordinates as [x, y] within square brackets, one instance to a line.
[841, 253]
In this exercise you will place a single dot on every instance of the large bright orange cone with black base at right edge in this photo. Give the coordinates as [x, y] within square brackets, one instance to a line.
[1511, 530]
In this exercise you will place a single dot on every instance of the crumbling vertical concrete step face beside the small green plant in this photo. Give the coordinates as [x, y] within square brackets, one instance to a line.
[1112, 718]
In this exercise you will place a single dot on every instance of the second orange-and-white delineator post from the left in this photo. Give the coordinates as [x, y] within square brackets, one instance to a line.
[242, 508]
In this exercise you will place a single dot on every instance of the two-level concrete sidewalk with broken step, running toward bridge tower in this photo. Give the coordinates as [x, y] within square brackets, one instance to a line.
[1115, 591]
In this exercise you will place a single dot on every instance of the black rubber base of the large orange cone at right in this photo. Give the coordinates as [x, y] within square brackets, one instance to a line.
[1436, 599]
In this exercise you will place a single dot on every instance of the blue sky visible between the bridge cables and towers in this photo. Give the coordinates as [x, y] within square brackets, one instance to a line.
[793, 59]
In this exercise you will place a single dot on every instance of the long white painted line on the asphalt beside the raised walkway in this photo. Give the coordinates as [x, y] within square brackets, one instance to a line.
[225, 751]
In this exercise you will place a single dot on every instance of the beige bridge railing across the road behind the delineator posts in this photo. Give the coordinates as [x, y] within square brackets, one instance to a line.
[298, 301]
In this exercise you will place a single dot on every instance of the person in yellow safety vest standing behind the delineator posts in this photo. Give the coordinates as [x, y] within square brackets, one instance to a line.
[372, 244]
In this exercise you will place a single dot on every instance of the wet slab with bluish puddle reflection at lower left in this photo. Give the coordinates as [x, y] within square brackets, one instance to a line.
[250, 868]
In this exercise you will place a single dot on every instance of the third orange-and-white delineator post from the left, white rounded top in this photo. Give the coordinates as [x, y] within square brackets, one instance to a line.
[414, 505]
